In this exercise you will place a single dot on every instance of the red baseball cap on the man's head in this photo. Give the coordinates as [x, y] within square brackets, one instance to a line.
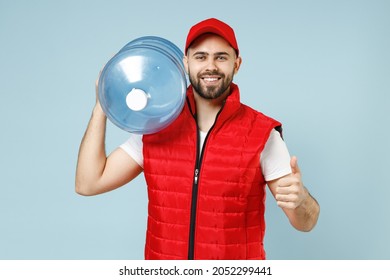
[215, 26]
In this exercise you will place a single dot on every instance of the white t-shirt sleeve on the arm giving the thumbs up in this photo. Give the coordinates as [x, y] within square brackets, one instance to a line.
[275, 158]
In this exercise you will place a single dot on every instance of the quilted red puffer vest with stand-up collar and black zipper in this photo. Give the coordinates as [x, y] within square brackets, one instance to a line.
[207, 205]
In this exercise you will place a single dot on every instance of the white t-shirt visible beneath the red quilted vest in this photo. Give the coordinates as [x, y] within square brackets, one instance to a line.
[275, 158]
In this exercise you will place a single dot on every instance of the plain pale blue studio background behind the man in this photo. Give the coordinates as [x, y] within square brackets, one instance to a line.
[320, 67]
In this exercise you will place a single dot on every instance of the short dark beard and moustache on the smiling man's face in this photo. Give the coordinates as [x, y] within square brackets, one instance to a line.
[211, 92]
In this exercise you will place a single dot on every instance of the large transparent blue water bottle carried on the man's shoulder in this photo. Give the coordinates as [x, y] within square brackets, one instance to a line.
[142, 88]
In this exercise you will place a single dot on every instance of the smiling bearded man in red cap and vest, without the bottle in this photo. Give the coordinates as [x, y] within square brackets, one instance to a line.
[206, 173]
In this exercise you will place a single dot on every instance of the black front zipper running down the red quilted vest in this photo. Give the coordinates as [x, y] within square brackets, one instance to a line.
[194, 201]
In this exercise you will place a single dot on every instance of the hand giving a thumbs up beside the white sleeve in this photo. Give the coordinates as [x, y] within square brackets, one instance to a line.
[290, 192]
